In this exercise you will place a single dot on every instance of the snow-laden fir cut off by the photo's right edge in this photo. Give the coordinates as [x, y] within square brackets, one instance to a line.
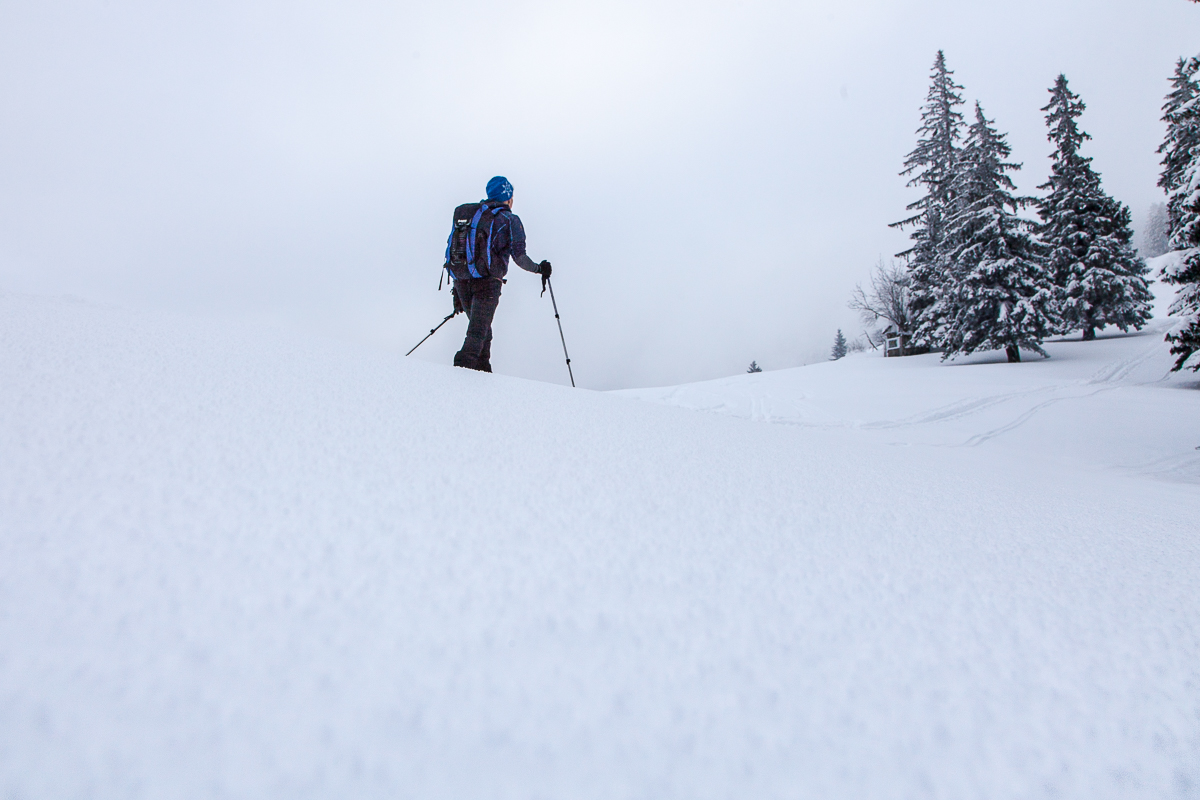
[1181, 179]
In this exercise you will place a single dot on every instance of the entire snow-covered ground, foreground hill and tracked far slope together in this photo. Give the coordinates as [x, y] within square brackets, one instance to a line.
[245, 567]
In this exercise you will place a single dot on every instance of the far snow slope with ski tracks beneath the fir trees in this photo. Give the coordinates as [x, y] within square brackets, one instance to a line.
[1111, 404]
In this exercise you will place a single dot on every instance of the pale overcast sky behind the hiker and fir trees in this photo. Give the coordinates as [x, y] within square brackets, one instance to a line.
[710, 179]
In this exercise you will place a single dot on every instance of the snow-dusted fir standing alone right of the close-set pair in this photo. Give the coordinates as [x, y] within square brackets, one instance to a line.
[1101, 278]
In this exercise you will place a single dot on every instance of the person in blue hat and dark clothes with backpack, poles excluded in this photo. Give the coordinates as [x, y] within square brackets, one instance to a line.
[483, 239]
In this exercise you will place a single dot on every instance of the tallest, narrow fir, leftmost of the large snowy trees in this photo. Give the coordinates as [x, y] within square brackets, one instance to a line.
[932, 167]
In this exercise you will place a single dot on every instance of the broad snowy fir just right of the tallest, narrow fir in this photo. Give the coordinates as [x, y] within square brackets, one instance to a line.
[999, 294]
